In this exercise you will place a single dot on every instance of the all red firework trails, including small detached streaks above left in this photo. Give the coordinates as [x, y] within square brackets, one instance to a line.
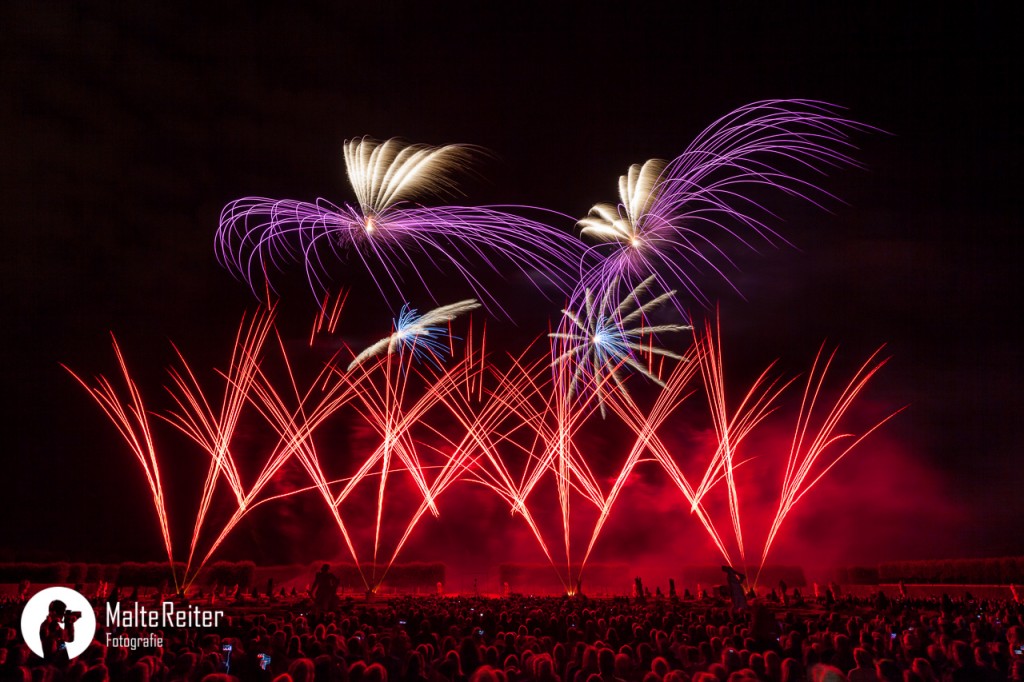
[443, 422]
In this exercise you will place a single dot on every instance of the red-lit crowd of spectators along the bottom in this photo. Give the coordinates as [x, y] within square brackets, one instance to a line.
[534, 640]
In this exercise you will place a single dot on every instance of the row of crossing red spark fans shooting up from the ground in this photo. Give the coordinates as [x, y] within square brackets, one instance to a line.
[527, 398]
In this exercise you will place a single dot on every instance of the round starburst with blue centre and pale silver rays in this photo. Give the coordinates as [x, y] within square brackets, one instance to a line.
[607, 336]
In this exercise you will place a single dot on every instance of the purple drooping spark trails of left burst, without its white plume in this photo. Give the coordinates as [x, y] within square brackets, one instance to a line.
[448, 239]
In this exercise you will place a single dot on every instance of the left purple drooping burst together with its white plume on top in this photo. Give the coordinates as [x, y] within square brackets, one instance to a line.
[397, 241]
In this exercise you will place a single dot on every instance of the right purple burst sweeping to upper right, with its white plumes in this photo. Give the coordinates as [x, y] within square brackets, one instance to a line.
[671, 212]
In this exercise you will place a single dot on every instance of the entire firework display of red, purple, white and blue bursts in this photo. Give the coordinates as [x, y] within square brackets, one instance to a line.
[434, 407]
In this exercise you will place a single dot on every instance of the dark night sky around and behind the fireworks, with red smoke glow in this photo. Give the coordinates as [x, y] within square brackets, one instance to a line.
[126, 132]
